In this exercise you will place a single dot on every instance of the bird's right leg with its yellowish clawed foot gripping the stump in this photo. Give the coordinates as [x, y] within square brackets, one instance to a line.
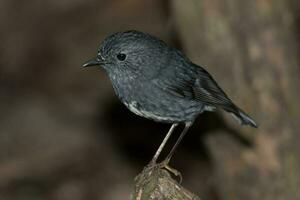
[165, 163]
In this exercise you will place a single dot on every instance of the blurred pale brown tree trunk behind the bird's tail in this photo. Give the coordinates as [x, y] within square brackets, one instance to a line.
[250, 49]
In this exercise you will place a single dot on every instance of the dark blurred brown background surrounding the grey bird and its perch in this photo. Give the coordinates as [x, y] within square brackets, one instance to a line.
[65, 136]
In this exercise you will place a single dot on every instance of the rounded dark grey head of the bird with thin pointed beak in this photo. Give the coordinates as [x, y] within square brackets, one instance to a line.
[130, 51]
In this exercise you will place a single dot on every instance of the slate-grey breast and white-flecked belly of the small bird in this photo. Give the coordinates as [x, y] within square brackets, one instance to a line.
[146, 100]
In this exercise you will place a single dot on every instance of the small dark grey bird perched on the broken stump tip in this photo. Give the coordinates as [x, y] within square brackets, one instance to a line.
[159, 82]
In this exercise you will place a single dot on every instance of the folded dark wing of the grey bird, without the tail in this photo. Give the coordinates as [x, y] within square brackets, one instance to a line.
[196, 84]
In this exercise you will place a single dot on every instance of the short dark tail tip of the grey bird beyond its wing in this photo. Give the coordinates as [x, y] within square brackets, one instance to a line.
[241, 116]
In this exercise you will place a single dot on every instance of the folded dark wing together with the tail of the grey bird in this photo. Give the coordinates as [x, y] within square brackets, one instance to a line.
[196, 84]
